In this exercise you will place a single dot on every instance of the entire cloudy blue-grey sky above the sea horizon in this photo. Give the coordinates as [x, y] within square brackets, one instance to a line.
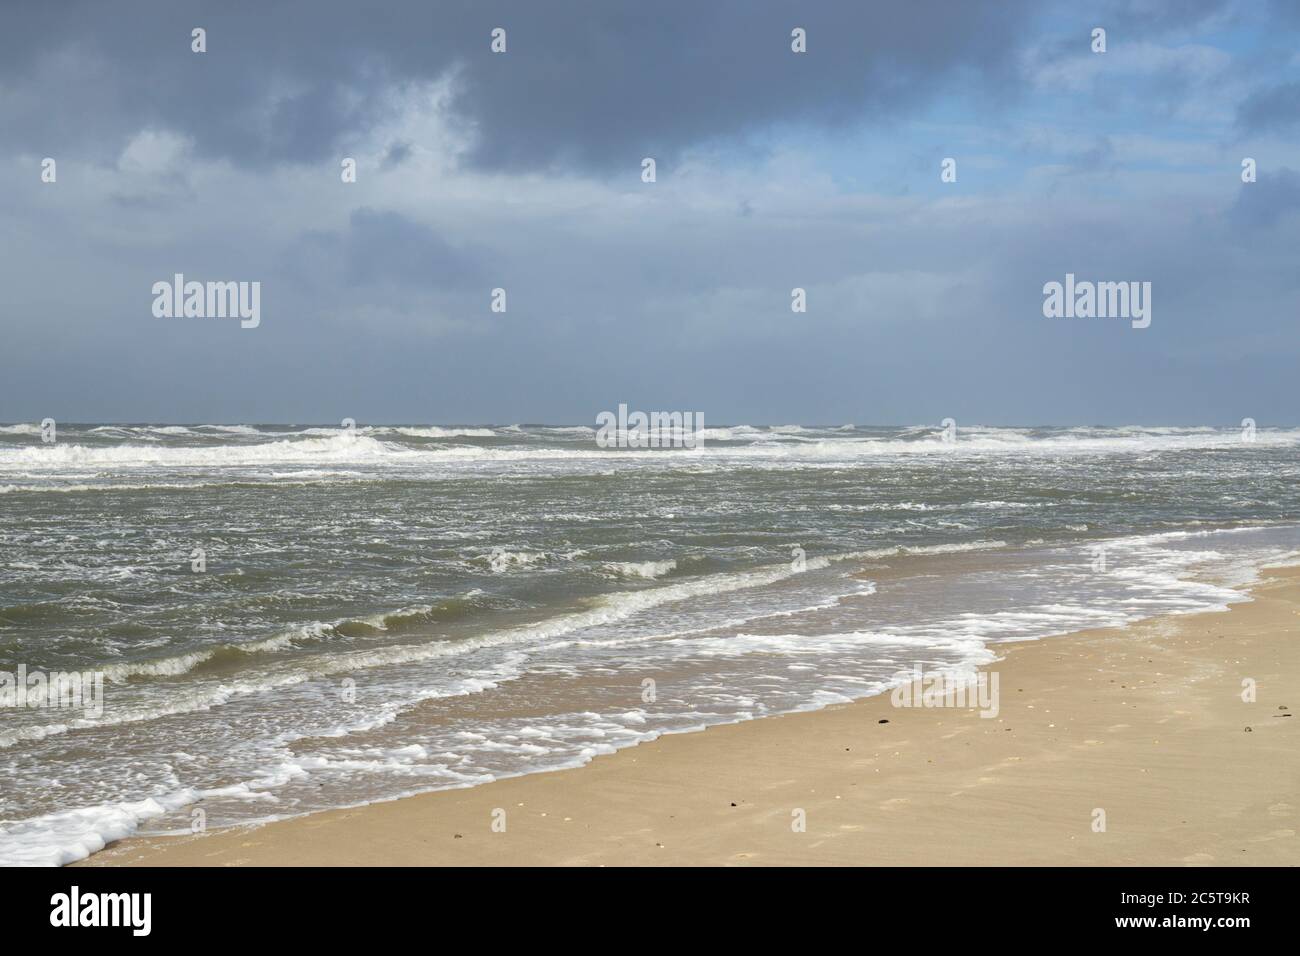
[774, 171]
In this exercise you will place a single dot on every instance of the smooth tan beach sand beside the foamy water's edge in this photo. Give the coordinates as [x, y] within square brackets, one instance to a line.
[1147, 724]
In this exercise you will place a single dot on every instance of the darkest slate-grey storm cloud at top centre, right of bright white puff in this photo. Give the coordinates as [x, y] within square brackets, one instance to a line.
[679, 73]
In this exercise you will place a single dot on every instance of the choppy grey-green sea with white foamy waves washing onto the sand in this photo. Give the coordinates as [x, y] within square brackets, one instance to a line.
[292, 618]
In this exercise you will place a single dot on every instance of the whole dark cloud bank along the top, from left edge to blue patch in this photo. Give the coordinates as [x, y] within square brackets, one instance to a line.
[292, 81]
